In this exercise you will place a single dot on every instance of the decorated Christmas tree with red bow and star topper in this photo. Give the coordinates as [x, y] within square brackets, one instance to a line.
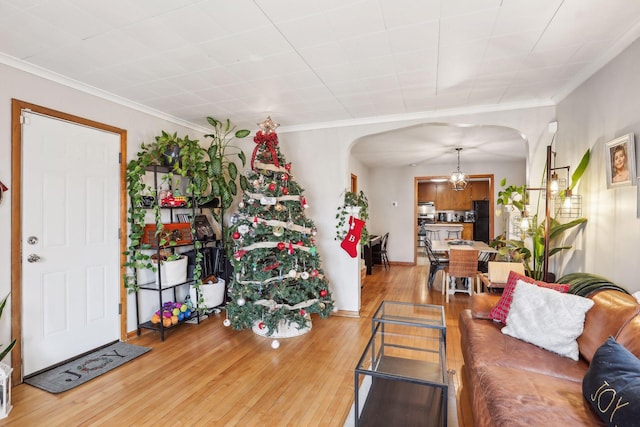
[277, 280]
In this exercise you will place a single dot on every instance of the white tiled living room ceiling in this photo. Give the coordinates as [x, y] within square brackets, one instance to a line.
[317, 63]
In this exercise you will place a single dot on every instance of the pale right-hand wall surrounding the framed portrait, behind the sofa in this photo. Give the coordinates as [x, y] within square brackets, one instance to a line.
[603, 108]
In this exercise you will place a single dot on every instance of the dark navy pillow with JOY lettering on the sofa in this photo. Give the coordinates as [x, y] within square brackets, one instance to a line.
[612, 385]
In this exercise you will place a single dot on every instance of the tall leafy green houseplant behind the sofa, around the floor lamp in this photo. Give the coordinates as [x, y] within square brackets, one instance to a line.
[531, 252]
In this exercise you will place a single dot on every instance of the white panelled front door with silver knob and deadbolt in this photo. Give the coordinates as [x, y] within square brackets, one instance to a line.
[70, 246]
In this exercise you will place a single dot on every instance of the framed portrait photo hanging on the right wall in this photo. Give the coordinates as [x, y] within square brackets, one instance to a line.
[620, 155]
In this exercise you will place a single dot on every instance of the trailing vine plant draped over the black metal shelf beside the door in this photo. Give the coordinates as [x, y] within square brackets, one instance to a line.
[190, 166]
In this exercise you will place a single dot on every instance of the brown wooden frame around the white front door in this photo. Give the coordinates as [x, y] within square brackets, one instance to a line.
[16, 220]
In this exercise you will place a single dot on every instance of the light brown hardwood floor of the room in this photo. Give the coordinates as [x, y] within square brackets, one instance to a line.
[211, 375]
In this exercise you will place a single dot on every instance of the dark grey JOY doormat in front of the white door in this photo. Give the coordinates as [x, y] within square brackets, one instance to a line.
[85, 368]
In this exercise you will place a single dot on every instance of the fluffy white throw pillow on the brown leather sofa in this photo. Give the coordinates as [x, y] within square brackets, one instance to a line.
[547, 318]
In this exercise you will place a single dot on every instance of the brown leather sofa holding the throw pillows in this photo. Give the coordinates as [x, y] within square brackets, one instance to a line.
[513, 383]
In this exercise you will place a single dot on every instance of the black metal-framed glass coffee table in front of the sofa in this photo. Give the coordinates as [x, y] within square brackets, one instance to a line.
[401, 377]
